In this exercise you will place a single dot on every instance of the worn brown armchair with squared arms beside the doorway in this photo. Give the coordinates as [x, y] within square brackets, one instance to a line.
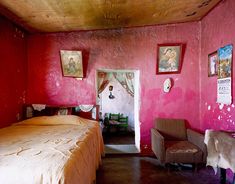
[172, 143]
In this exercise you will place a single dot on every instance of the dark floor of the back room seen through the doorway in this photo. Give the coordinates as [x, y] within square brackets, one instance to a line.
[119, 138]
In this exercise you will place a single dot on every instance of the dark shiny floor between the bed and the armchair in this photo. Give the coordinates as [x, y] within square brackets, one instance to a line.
[146, 170]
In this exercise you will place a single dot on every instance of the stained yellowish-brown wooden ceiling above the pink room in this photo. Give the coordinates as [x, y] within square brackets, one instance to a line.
[71, 15]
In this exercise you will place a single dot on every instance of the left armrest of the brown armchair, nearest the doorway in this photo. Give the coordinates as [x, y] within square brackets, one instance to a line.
[158, 146]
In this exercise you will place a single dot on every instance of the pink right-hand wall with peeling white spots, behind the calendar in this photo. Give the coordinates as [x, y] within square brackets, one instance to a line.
[217, 30]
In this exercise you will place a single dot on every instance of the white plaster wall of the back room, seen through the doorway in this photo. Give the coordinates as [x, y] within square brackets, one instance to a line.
[123, 102]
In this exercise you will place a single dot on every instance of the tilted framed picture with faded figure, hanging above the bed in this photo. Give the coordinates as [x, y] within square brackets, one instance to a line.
[71, 62]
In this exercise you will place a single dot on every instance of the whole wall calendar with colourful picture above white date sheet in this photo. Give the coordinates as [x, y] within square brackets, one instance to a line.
[224, 82]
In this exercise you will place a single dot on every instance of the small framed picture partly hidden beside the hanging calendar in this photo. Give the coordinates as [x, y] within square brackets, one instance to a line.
[213, 63]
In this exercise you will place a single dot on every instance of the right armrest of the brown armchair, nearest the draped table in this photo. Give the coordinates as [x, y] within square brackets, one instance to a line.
[197, 139]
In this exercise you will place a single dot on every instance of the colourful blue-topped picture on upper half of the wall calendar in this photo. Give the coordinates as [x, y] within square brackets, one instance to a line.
[225, 55]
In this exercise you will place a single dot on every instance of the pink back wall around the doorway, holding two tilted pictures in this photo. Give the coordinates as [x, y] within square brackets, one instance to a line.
[134, 48]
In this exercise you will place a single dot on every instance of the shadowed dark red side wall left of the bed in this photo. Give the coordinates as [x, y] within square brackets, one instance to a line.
[13, 63]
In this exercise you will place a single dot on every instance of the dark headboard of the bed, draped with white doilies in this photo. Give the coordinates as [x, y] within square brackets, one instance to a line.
[50, 110]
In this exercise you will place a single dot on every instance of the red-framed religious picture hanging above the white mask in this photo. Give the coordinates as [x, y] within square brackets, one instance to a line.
[169, 58]
